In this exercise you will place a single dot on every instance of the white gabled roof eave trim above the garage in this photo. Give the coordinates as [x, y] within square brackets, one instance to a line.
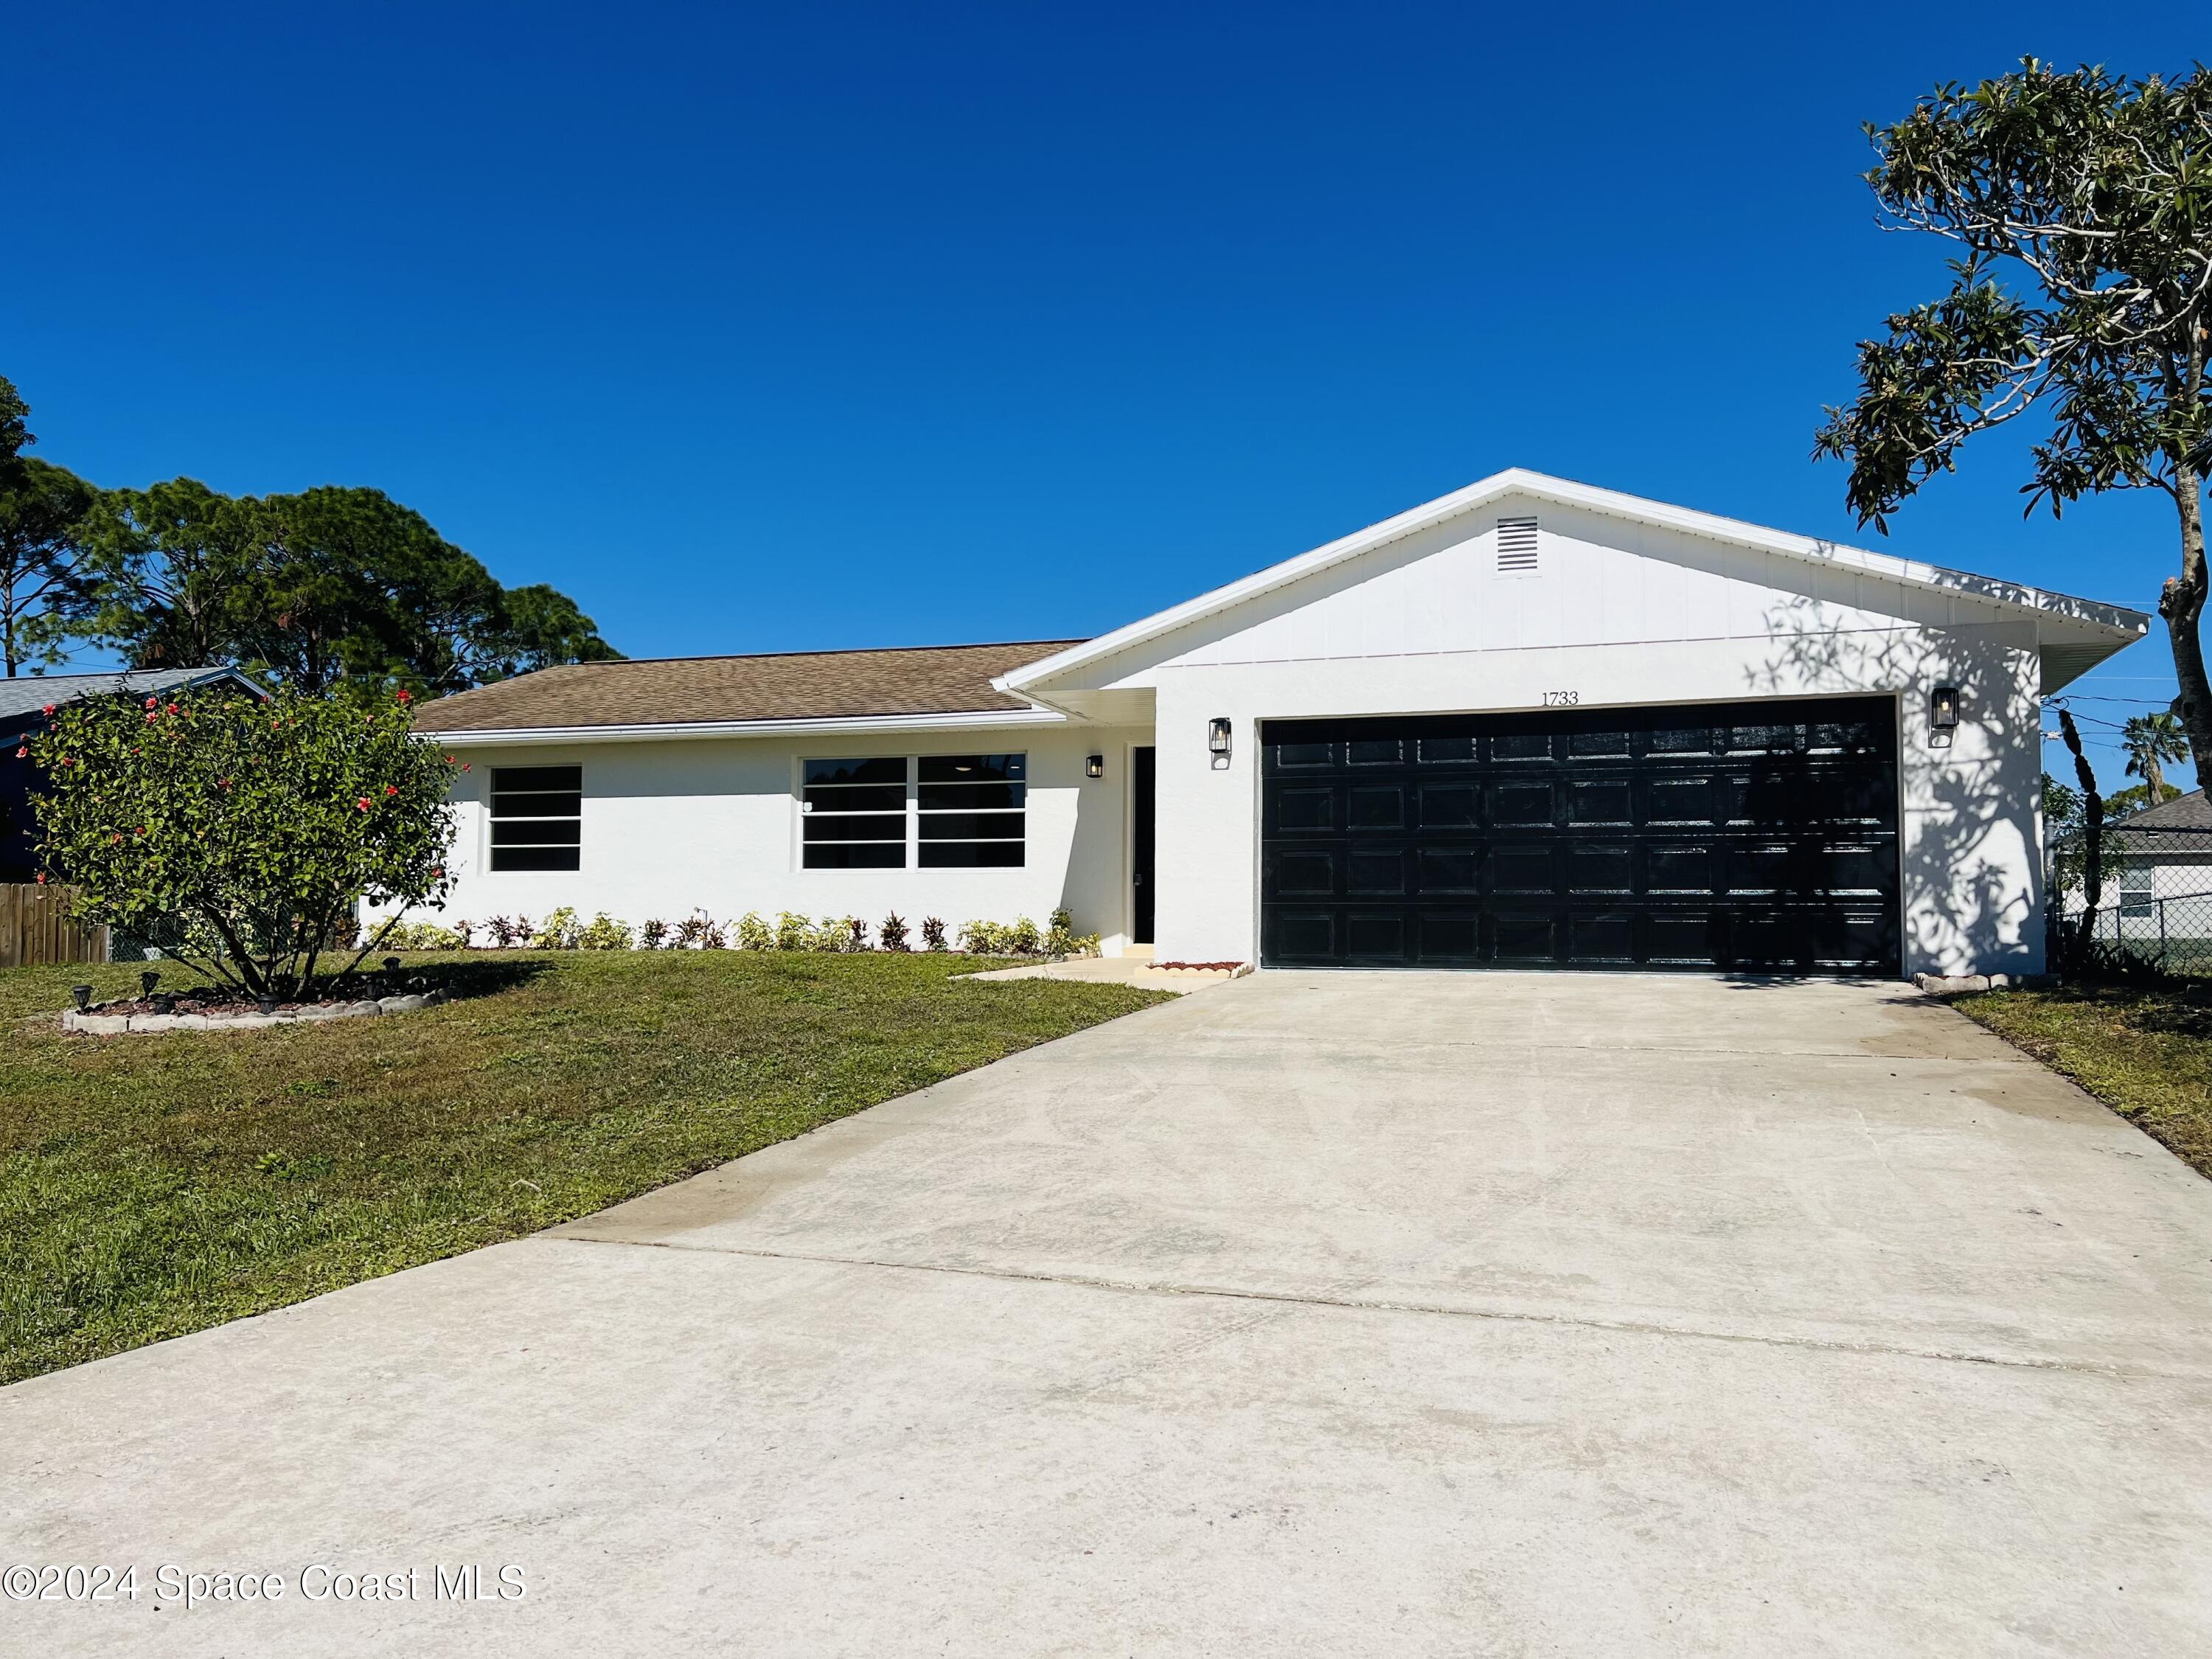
[2118, 623]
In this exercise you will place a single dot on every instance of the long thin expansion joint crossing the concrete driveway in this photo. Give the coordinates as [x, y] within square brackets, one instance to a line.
[1377, 1306]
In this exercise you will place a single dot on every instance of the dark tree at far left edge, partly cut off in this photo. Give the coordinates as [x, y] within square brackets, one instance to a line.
[43, 598]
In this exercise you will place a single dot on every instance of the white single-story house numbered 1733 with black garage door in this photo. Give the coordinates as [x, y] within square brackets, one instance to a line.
[1530, 724]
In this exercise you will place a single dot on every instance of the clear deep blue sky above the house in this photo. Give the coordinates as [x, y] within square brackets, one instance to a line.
[769, 328]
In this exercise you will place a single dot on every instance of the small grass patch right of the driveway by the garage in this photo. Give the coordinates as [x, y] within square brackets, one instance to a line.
[2145, 1052]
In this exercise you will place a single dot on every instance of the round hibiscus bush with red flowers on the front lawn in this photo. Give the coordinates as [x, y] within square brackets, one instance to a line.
[249, 828]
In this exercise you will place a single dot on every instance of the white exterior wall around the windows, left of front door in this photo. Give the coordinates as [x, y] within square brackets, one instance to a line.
[713, 824]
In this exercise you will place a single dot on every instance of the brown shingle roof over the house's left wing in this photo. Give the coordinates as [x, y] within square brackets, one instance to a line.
[689, 691]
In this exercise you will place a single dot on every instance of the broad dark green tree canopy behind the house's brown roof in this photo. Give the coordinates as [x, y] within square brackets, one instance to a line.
[320, 592]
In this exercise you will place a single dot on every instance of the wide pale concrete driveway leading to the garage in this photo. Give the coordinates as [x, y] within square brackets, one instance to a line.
[1308, 1315]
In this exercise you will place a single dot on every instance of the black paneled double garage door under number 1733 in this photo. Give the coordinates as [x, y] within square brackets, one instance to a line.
[1711, 837]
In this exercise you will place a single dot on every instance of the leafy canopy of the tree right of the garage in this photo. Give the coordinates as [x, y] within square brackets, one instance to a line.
[2094, 196]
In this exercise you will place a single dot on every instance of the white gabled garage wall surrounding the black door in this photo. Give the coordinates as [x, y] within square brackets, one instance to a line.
[1618, 614]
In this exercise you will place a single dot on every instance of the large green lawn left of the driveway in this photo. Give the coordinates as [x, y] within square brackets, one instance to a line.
[154, 1187]
